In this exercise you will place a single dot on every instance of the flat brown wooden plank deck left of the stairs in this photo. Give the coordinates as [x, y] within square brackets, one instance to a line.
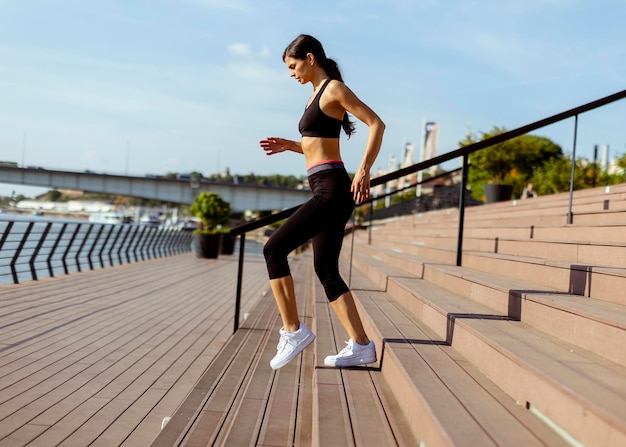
[100, 358]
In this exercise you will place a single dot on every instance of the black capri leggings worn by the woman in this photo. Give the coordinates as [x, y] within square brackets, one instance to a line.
[321, 219]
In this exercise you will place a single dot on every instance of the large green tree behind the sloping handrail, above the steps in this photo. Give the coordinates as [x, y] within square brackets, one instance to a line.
[512, 162]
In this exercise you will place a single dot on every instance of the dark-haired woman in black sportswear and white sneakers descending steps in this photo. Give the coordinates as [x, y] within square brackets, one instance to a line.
[322, 219]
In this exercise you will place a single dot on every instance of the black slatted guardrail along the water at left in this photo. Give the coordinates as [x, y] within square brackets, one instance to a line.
[32, 249]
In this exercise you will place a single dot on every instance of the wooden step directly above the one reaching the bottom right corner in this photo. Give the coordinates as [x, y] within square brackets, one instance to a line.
[582, 321]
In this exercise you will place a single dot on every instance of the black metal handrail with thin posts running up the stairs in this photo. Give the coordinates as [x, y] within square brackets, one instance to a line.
[463, 152]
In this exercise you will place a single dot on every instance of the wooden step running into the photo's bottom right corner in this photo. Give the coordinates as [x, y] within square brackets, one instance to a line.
[577, 390]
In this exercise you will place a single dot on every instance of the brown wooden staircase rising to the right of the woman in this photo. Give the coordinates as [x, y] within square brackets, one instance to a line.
[525, 343]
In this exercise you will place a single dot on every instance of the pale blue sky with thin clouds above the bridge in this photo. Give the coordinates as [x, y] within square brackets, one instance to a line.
[155, 86]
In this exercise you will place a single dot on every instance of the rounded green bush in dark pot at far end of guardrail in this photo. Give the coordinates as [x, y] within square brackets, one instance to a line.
[213, 213]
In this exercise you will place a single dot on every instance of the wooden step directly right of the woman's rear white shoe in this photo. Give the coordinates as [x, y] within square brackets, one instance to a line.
[446, 400]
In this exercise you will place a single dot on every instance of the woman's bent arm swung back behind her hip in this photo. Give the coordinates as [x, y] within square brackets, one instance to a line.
[349, 101]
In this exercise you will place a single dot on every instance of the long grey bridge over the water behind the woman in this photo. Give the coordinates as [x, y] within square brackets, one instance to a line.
[240, 197]
